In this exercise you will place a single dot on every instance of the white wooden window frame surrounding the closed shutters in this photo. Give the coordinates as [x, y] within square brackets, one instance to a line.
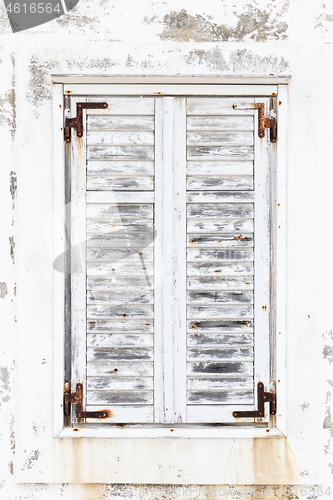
[187, 86]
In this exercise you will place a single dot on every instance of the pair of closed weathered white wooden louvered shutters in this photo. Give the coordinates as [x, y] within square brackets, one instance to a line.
[170, 267]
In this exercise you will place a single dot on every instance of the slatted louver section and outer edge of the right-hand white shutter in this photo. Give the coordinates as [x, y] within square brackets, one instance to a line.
[224, 193]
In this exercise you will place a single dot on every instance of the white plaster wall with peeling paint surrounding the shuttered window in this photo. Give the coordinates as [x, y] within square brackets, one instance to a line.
[162, 38]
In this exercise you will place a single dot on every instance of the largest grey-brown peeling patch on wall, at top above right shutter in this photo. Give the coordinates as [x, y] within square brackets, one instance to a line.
[252, 24]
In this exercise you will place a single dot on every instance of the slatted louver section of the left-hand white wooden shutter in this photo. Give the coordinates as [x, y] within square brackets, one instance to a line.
[118, 149]
